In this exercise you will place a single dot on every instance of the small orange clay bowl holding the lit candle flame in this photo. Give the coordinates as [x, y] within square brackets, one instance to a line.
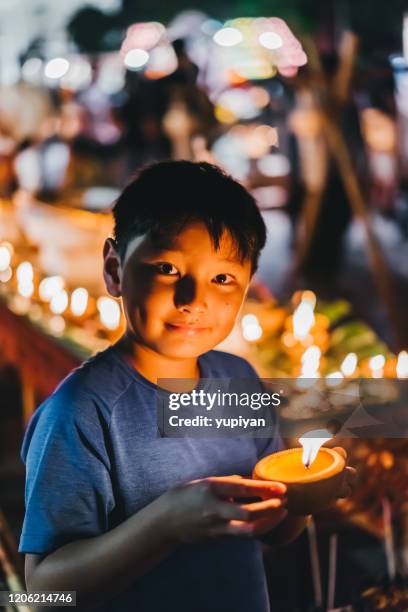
[309, 490]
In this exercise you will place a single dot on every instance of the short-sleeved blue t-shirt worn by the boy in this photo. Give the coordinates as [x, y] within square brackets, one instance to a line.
[93, 458]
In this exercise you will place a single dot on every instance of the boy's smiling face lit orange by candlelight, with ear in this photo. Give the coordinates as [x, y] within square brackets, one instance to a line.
[183, 299]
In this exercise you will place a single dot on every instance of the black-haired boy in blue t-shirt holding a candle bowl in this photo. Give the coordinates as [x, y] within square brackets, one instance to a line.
[127, 519]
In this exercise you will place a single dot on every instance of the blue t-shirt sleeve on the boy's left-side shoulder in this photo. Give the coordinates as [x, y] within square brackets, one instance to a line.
[68, 490]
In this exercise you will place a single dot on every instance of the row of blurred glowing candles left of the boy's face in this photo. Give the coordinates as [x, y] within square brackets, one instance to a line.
[32, 292]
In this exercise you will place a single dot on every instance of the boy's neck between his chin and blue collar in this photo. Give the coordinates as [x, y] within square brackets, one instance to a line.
[152, 365]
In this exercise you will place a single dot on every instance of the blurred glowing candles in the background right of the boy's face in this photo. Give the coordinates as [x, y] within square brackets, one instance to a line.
[306, 338]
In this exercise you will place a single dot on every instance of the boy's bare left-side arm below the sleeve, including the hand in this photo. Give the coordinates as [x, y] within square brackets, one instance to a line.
[100, 567]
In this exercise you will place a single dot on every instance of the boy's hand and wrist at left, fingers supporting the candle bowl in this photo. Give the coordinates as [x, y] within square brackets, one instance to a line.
[203, 508]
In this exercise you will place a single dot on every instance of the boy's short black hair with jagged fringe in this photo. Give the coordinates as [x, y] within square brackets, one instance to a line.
[166, 196]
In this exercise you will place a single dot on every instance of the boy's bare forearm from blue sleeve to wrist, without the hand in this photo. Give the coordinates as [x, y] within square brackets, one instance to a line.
[100, 567]
